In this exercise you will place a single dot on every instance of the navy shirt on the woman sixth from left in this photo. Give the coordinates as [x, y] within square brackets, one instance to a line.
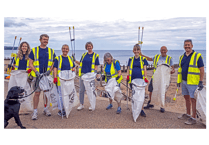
[136, 72]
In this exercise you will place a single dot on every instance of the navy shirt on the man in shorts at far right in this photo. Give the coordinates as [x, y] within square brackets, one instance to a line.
[185, 64]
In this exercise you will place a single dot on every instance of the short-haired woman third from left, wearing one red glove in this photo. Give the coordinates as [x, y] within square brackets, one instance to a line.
[62, 62]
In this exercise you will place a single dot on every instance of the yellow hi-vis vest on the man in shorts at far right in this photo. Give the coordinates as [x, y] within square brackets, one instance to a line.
[193, 76]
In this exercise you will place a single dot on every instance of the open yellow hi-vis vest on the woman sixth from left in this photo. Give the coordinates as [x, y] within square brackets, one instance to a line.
[131, 67]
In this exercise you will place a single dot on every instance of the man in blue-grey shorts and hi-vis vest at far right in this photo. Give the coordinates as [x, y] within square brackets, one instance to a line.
[190, 76]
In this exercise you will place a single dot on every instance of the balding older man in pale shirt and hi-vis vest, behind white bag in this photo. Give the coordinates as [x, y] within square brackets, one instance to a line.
[158, 59]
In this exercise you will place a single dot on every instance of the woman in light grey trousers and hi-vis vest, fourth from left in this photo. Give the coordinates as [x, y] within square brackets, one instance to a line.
[88, 63]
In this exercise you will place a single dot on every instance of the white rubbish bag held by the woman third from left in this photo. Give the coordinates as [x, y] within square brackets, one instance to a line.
[68, 91]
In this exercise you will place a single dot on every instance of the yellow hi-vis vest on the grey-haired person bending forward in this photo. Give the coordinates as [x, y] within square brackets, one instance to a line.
[113, 72]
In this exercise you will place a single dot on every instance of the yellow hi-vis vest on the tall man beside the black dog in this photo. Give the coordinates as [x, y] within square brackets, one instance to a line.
[36, 59]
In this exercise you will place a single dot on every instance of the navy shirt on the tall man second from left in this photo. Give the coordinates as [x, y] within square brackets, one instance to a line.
[43, 59]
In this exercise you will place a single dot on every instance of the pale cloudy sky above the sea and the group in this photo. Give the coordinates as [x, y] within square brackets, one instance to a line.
[118, 34]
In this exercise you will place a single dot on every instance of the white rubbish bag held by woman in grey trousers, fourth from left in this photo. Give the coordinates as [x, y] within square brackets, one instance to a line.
[89, 83]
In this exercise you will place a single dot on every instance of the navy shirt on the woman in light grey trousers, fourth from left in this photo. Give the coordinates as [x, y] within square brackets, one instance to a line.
[87, 61]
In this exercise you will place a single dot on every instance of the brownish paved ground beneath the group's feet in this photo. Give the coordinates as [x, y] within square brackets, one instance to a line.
[104, 119]
